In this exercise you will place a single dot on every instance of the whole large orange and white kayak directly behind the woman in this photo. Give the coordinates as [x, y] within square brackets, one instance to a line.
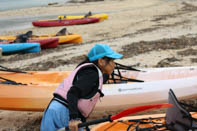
[36, 95]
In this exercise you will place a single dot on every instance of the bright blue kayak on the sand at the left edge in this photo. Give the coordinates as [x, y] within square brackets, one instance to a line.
[20, 47]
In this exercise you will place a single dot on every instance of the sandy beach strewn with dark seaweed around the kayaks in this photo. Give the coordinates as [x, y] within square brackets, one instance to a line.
[150, 33]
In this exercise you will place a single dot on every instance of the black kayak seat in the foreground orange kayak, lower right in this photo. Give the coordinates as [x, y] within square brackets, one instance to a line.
[177, 117]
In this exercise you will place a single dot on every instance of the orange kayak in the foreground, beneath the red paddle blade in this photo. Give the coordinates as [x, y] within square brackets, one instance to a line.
[132, 122]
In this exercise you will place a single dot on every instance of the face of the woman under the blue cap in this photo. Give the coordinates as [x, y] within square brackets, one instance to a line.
[106, 66]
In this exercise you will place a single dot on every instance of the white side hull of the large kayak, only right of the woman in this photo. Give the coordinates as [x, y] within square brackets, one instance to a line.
[121, 96]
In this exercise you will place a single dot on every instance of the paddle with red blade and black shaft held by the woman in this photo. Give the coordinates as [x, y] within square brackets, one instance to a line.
[126, 112]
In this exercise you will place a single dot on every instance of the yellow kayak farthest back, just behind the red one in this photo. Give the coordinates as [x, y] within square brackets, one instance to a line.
[101, 16]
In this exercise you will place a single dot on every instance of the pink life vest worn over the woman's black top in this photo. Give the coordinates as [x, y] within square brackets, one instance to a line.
[85, 106]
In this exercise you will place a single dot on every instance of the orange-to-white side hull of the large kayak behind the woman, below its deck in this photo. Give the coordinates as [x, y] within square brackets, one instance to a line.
[117, 96]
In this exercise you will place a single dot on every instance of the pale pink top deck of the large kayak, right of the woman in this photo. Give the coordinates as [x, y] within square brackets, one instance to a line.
[155, 74]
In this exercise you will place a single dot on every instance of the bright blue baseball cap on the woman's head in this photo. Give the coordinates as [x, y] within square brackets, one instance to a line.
[102, 50]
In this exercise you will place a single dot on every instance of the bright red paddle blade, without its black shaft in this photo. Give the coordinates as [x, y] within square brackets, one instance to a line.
[137, 109]
